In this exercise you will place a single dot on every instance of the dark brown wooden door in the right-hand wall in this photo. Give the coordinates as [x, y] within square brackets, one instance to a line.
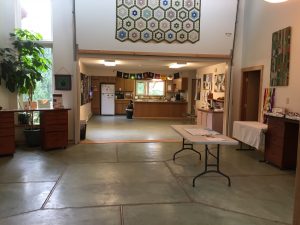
[251, 94]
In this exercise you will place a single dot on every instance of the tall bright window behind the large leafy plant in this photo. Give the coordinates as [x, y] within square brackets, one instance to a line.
[36, 16]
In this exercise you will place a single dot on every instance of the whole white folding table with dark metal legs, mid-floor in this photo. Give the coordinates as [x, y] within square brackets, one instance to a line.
[196, 135]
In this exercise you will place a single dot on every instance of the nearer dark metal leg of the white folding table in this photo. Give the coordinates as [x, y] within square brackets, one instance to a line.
[217, 170]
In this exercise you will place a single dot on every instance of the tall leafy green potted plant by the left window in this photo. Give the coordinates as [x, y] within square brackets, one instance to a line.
[23, 66]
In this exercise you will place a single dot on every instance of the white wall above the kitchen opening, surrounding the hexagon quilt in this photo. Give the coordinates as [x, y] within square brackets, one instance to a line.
[95, 21]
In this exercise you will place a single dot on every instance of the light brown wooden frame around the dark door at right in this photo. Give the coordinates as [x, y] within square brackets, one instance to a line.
[247, 70]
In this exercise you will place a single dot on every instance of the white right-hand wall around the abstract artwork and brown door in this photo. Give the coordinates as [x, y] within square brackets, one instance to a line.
[262, 19]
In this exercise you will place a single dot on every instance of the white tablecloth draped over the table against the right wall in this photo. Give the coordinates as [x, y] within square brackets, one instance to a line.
[250, 132]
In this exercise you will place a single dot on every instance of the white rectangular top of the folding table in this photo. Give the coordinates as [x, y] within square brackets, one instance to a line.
[196, 134]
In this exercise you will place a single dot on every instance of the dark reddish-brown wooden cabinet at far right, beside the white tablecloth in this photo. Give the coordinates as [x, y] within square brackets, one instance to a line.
[282, 142]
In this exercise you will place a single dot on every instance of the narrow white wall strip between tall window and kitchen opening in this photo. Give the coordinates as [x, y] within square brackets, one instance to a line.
[63, 56]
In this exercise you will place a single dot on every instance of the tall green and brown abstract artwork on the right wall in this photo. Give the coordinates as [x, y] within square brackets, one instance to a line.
[280, 62]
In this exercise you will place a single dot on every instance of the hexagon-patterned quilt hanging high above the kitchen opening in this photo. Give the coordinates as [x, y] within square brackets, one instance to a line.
[158, 20]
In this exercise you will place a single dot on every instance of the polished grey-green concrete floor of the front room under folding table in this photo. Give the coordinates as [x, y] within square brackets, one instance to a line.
[139, 183]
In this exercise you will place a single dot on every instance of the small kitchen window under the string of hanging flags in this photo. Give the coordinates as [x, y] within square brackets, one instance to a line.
[150, 88]
